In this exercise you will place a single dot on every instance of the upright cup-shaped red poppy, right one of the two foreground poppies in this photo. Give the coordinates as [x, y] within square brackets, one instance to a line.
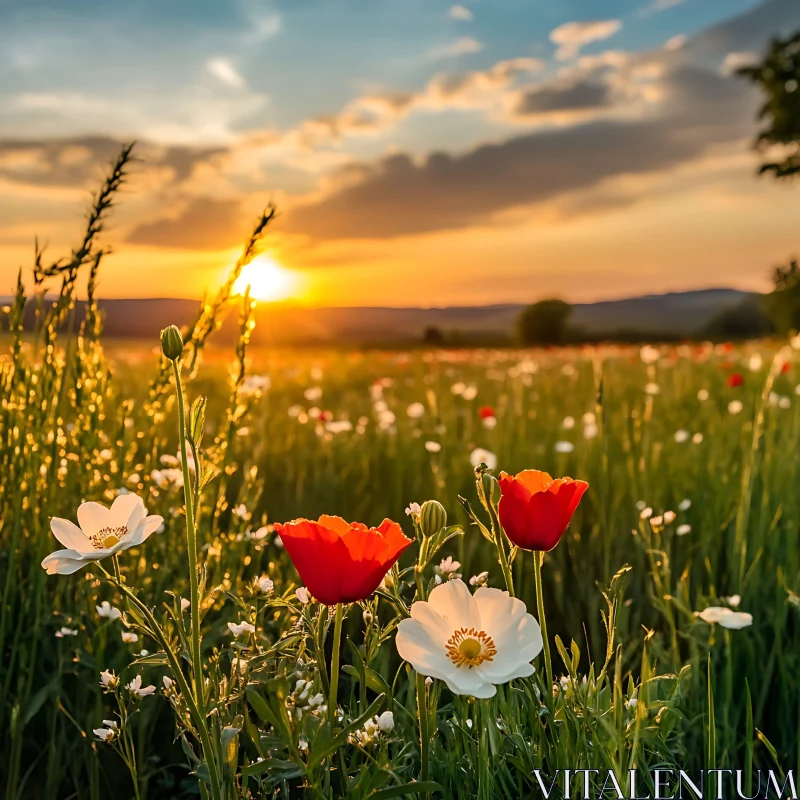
[535, 510]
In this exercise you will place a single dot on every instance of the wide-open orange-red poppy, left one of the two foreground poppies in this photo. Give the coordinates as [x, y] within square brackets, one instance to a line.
[342, 562]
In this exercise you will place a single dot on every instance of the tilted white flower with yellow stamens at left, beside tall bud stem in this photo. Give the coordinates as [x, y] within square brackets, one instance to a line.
[102, 532]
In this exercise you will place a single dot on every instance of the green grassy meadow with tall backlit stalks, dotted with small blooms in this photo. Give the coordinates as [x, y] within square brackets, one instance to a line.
[671, 599]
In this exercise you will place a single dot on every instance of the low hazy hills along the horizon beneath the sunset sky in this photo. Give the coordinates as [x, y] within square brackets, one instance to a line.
[673, 315]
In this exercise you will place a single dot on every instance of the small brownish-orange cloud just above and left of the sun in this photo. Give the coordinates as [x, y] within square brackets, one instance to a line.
[203, 224]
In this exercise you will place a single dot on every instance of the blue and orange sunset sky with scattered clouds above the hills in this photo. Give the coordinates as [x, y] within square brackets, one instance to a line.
[419, 153]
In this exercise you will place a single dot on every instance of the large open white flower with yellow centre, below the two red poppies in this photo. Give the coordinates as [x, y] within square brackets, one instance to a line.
[471, 642]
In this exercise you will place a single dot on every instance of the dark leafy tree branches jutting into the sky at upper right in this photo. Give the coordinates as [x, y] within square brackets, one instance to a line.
[778, 76]
